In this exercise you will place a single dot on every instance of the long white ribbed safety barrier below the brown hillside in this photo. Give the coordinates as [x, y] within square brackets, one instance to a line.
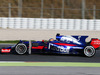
[50, 23]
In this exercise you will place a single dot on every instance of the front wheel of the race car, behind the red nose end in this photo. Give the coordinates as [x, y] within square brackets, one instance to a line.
[21, 48]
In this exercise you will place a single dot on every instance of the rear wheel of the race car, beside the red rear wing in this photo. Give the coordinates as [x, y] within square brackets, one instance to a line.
[89, 51]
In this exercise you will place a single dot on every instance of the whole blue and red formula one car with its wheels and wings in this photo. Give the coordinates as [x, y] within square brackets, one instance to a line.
[62, 45]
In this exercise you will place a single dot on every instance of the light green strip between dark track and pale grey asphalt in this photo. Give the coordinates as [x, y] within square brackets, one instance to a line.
[59, 64]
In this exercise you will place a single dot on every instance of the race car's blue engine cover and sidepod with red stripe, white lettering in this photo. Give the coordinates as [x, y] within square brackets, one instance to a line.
[67, 44]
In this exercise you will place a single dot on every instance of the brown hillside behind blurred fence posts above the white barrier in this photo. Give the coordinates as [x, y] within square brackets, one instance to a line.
[74, 9]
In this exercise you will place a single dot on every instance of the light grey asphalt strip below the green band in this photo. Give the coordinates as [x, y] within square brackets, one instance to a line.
[49, 71]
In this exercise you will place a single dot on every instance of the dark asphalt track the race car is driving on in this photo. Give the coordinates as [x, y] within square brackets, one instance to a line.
[48, 57]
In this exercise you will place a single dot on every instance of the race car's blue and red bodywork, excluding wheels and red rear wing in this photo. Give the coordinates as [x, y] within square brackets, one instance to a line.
[61, 45]
